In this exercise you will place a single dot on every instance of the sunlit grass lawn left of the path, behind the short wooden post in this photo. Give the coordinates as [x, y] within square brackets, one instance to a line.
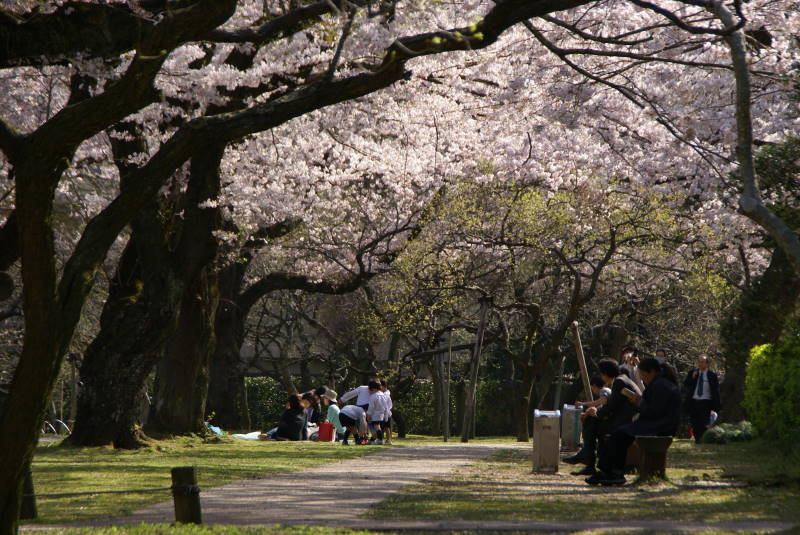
[60, 469]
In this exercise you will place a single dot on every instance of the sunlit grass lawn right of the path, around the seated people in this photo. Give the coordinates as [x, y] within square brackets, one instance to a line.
[753, 481]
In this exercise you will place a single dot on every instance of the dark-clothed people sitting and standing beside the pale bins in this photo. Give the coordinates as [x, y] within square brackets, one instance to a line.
[639, 397]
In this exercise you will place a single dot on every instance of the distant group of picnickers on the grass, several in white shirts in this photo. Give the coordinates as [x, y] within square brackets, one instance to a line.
[368, 421]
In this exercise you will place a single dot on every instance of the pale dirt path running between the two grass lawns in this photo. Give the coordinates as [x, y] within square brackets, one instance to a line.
[332, 494]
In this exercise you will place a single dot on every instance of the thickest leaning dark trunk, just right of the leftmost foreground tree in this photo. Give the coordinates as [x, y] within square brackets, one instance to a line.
[141, 312]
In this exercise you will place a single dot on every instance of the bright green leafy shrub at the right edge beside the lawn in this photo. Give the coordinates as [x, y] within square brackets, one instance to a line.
[772, 389]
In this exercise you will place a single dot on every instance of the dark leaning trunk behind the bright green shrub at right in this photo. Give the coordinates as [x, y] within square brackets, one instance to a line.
[758, 318]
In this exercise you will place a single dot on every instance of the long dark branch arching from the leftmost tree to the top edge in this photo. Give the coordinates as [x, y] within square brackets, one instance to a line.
[102, 230]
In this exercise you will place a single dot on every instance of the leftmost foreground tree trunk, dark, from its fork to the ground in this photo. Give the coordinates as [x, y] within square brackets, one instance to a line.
[46, 334]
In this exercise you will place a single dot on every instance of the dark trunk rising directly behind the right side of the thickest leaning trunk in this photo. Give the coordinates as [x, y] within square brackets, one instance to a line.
[182, 375]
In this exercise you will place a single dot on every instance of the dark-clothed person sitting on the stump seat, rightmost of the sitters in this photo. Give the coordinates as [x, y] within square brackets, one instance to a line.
[659, 414]
